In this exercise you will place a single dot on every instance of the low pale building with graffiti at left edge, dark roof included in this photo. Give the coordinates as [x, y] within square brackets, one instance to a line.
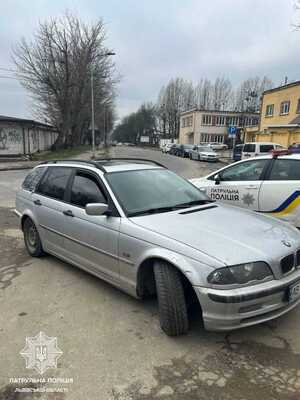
[23, 136]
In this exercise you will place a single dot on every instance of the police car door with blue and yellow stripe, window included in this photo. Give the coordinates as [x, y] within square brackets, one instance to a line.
[280, 192]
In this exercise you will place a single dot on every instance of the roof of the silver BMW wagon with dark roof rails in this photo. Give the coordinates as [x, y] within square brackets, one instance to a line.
[108, 164]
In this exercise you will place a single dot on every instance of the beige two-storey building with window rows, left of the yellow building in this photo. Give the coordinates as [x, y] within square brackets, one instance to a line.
[212, 126]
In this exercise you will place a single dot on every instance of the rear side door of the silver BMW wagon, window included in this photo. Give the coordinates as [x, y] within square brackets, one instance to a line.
[49, 204]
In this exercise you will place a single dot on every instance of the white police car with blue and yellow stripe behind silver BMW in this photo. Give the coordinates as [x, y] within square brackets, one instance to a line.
[268, 184]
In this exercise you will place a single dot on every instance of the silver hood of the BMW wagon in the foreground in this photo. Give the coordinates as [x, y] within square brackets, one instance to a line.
[228, 234]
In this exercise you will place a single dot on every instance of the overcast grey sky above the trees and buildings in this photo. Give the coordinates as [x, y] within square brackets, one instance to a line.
[160, 39]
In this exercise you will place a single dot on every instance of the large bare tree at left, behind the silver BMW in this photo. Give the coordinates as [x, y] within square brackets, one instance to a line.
[56, 67]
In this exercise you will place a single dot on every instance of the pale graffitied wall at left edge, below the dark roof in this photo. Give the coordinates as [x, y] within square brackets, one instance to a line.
[15, 139]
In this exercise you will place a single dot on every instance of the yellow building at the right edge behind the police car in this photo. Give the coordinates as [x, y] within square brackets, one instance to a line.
[280, 115]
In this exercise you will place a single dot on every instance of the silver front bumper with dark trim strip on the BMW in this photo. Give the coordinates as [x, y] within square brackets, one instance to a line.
[224, 310]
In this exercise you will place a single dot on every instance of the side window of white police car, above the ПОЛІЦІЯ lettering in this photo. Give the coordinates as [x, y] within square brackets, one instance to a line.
[247, 171]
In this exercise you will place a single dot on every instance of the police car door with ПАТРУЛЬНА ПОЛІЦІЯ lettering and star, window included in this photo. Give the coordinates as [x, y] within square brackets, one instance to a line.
[239, 184]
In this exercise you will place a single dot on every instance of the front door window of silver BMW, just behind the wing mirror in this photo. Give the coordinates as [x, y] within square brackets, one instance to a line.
[85, 190]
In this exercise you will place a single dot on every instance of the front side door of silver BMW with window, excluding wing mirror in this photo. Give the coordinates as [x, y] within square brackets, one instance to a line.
[91, 241]
